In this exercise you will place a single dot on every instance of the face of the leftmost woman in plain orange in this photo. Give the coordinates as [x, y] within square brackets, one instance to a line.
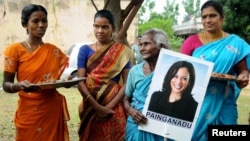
[37, 24]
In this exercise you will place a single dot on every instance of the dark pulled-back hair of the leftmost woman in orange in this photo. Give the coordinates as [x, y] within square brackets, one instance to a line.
[28, 10]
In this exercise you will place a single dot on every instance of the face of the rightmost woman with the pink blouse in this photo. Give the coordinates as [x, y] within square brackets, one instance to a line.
[211, 19]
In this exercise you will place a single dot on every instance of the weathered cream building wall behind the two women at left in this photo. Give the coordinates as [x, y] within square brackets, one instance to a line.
[70, 21]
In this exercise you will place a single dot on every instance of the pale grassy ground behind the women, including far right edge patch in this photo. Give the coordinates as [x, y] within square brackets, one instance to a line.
[8, 104]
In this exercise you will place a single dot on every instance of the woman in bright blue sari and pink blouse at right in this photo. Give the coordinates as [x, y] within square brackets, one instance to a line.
[228, 52]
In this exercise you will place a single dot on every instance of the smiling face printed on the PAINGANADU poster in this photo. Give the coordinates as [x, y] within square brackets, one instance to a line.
[180, 81]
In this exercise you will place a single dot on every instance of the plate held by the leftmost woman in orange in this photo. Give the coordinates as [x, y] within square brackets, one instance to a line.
[52, 84]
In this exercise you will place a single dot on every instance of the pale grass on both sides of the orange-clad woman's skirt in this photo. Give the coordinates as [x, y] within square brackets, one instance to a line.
[8, 104]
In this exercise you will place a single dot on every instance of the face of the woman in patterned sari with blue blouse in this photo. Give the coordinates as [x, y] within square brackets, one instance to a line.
[103, 29]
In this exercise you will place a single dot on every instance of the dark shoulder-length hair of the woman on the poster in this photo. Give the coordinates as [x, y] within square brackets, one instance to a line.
[172, 72]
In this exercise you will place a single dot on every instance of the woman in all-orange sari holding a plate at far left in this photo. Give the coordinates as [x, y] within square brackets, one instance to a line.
[41, 114]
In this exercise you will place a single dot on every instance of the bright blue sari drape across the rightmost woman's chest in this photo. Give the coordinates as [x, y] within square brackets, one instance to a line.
[216, 52]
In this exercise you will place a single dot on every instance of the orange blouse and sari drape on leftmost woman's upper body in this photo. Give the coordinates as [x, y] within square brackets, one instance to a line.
[45, 63]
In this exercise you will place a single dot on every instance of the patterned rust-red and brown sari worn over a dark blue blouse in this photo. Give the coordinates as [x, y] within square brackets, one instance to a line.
[102, 66]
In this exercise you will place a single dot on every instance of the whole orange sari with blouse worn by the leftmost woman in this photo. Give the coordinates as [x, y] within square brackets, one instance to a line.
[40, 115]
